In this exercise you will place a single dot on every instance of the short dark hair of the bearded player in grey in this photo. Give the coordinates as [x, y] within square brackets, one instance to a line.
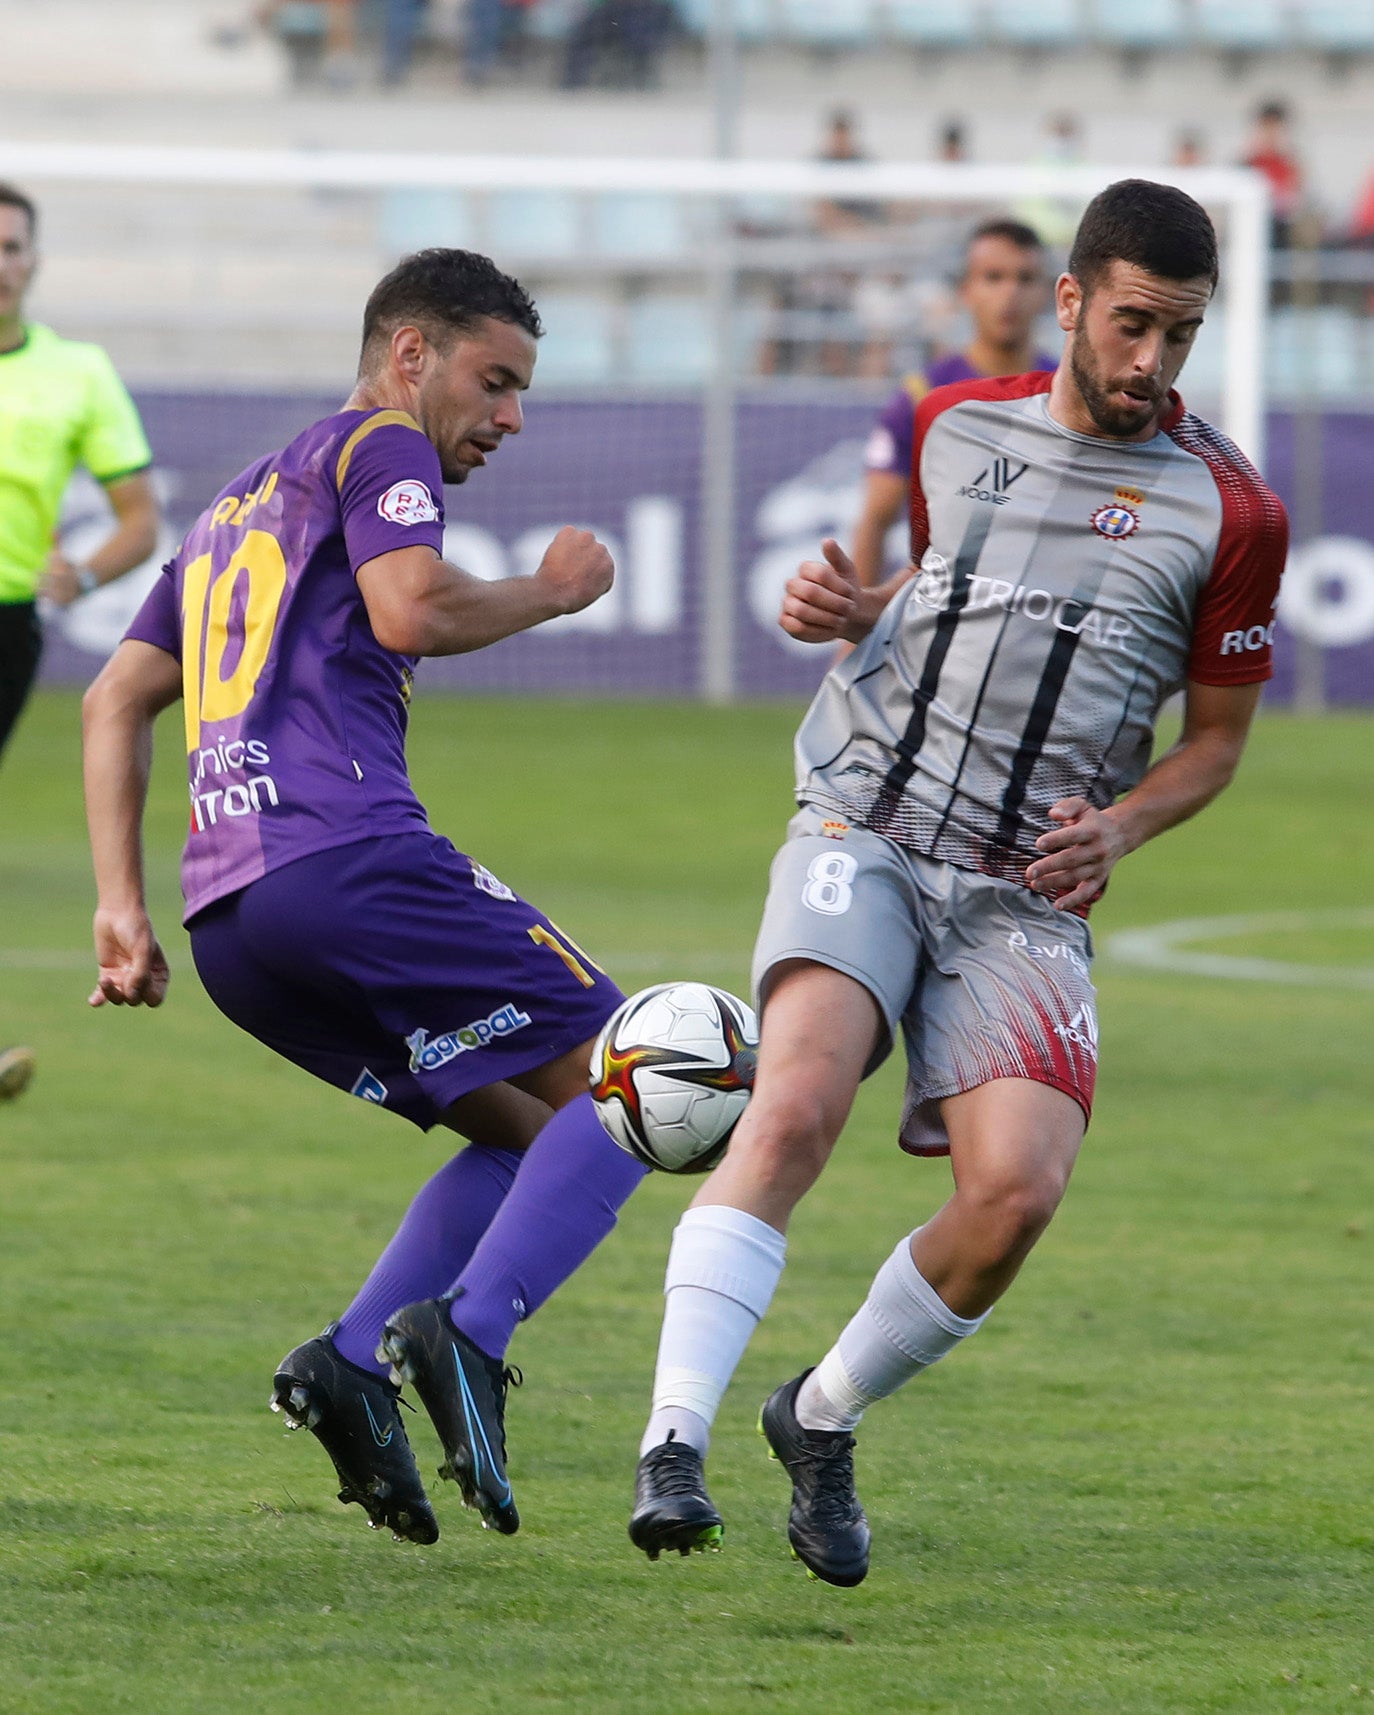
[1157, 227]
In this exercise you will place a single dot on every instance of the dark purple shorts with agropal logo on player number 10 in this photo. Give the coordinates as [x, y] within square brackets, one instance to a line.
[401, 972]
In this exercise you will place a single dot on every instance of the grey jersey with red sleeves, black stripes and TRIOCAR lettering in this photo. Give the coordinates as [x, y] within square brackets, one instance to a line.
[1068, 586]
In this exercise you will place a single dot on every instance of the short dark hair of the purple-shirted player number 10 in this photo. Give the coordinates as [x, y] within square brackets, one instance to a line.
[445, 294]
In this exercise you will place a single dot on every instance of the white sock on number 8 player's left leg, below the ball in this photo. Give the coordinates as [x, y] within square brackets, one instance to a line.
[721, 1275]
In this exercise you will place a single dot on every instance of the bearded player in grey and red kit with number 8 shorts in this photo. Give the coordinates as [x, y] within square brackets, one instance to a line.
[970, 778]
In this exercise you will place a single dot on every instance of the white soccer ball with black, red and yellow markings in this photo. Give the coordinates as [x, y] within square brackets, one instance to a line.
[672, 1074]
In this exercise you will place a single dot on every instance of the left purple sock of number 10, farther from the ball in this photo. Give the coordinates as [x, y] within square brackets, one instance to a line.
[435, 1241]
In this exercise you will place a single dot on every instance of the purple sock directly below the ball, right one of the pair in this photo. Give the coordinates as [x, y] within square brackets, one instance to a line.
[563, 1203]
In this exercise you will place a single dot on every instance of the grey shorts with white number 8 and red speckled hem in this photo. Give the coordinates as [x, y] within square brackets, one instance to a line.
[985, 978]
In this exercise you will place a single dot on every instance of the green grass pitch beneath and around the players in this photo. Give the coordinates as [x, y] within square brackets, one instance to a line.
[1147, 1486]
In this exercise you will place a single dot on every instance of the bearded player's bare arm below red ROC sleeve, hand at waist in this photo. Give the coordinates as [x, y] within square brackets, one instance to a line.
[1088, 845]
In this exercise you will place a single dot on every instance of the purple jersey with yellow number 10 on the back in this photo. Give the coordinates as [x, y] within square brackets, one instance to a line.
[294, 714]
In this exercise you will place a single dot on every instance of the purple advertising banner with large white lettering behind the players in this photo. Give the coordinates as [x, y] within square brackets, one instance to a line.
[632, 471]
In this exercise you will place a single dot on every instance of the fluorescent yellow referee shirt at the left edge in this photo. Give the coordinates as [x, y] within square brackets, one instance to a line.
[61, 406]
